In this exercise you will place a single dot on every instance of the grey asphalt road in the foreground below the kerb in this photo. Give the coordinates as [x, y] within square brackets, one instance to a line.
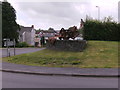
[13, 80]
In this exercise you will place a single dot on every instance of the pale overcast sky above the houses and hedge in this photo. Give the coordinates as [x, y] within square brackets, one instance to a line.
[58, 13]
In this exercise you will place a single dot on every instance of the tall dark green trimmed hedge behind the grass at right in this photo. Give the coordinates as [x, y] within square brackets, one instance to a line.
[97, 30]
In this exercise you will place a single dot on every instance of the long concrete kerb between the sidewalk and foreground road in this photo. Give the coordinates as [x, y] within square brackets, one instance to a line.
[57, 74]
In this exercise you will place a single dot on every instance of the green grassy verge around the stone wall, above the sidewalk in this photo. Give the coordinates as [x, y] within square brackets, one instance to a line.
[98, 54]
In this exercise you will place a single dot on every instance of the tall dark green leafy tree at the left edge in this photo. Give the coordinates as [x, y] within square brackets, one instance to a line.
[9, 25]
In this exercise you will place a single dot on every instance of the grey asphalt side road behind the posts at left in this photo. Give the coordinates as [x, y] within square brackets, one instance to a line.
[19, 51]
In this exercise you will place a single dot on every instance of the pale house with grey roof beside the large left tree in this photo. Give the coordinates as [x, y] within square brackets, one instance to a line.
[27, 34]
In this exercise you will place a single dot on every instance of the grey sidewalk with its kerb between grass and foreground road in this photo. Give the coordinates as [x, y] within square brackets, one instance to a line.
[84, 72]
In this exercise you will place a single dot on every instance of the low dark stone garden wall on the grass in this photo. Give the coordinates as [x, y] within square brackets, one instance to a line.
[67, 45]
